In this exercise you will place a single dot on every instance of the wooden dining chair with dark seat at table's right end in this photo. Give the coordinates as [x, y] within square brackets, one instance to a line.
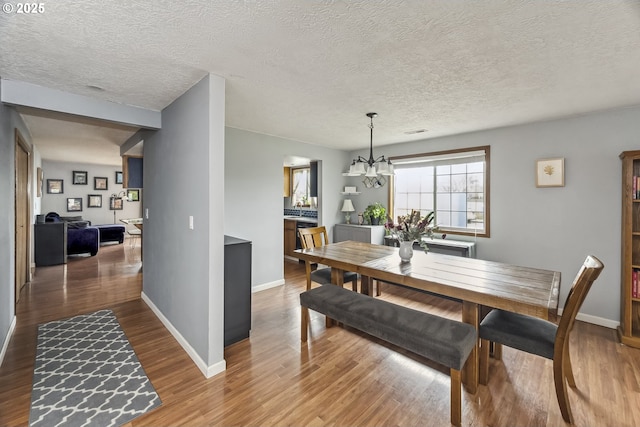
[543, 338]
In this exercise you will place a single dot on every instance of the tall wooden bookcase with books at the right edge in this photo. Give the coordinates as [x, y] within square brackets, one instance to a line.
[629, 329]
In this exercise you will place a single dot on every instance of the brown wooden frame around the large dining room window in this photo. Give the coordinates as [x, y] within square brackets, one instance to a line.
[487, 187]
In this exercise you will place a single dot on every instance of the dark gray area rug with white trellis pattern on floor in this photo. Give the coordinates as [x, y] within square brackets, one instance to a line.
[87, 374]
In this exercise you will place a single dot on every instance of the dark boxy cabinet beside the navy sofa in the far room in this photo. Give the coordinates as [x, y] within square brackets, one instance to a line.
[50, 243]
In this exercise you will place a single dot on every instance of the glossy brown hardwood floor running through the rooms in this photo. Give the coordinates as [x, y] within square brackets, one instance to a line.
[341, 377]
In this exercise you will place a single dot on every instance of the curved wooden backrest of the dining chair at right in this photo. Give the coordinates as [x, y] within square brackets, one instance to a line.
[589, 272]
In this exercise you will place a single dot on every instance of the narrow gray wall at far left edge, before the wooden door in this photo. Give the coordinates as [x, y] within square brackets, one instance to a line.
[9, 121]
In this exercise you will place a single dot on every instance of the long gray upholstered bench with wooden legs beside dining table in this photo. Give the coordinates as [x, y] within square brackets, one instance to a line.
[442, 340]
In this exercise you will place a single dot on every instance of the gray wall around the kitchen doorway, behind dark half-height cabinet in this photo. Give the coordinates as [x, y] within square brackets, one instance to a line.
[253, 195]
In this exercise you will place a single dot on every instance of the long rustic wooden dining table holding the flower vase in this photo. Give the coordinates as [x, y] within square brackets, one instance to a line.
[475, 282]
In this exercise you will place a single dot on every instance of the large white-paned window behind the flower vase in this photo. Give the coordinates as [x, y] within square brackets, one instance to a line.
[454, 184]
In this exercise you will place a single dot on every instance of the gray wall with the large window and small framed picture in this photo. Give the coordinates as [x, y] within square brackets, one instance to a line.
[552, 228]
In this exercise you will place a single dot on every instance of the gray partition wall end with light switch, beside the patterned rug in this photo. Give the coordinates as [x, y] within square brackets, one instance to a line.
[184, 176]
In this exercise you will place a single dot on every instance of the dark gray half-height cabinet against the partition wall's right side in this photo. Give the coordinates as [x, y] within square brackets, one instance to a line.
[237, 289]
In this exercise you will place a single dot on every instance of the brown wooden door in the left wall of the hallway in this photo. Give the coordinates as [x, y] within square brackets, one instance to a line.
[22, 216]
